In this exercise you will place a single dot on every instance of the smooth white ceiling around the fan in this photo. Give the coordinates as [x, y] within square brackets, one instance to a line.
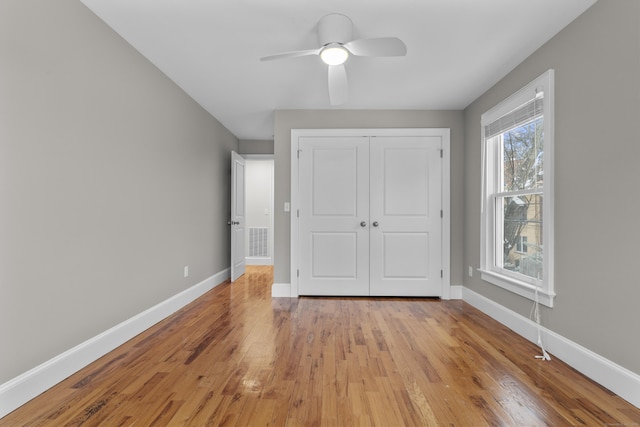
[457, 49]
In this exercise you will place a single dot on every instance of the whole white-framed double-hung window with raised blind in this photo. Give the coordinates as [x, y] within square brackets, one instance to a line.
[517, 224]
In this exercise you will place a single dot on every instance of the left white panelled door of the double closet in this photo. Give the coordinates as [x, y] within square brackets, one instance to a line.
[334, 215]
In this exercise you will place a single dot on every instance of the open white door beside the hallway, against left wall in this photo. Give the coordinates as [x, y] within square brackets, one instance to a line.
[237, 216]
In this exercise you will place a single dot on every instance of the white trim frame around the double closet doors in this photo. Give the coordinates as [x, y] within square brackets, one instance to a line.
[444, 133]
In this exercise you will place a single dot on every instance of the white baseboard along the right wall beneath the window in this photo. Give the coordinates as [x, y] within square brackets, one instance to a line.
[616, 378]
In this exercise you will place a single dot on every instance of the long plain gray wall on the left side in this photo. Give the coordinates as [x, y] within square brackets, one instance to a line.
[111, 180]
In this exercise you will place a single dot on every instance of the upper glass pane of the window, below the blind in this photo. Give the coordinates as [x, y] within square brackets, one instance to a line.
[522, 155]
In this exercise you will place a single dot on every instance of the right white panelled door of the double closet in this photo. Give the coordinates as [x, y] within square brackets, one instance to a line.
[406, 201]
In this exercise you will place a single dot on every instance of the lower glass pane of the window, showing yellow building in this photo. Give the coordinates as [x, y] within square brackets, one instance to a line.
[522, 234]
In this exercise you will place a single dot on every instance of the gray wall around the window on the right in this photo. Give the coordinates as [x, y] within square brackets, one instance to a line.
[597, 80]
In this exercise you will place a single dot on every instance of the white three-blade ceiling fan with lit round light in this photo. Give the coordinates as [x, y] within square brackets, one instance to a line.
[334, 34]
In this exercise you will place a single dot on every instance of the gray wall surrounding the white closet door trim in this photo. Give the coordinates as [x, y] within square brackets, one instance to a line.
[285, 120]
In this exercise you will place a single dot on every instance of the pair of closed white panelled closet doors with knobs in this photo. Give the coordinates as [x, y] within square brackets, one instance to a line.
[370, 215]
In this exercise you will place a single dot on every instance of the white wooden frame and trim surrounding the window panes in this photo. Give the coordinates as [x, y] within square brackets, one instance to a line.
[541, 290]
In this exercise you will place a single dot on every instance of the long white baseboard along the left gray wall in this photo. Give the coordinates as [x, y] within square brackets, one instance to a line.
[19, 390]
